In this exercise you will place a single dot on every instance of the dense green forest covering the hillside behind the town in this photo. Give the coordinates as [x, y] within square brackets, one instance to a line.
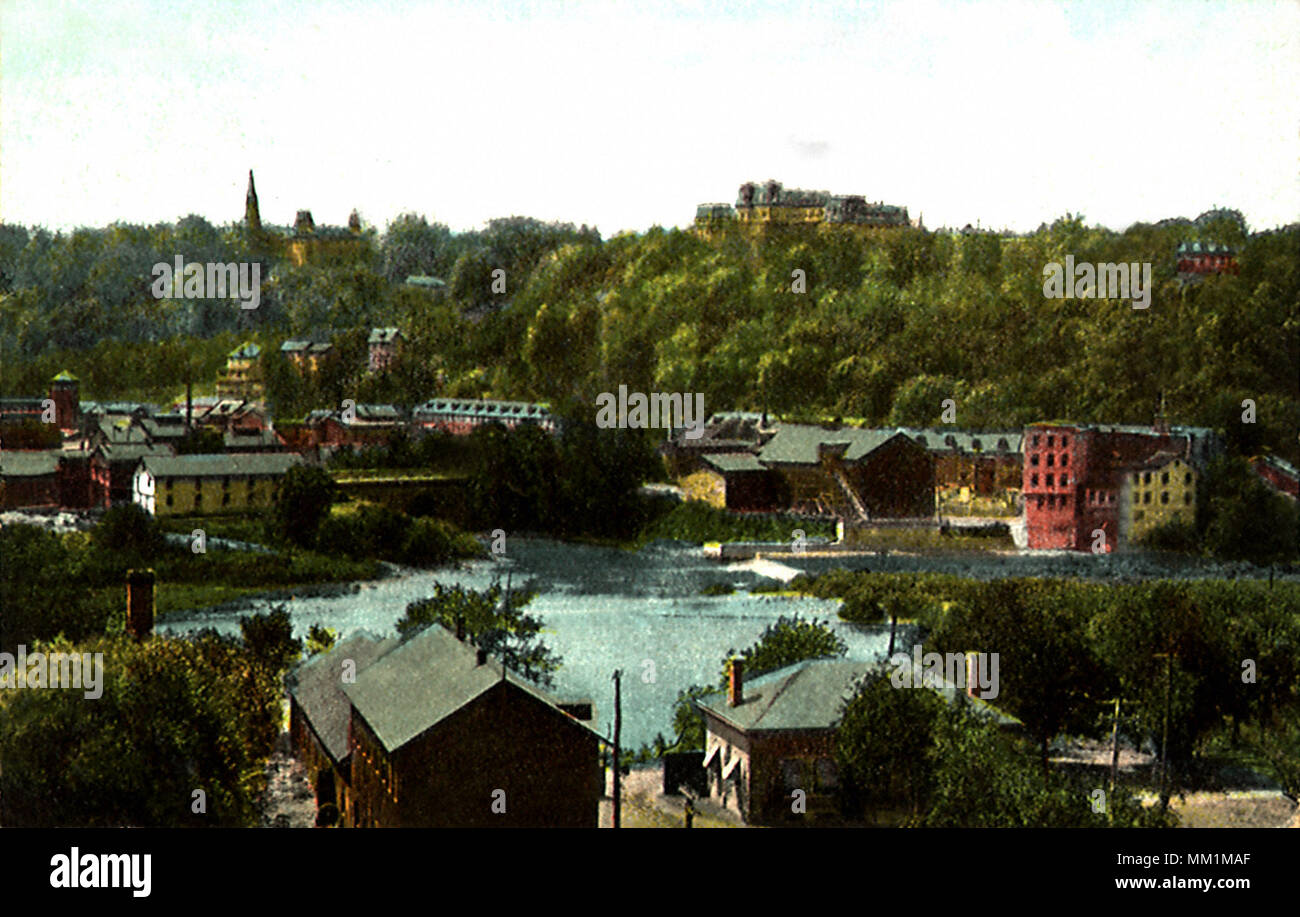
[891, 325]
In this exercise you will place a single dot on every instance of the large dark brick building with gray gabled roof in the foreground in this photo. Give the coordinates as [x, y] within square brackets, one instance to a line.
[443, 736]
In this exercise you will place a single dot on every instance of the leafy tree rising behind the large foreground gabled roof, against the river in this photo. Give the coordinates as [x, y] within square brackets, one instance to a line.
[493, 621]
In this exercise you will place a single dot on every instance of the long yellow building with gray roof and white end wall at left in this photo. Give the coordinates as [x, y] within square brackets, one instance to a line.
[167, 486]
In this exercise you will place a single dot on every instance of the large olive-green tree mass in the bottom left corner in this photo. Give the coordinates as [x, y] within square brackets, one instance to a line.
[176, 716]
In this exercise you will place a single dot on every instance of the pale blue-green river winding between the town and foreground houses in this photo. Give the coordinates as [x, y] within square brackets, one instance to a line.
[642, 612]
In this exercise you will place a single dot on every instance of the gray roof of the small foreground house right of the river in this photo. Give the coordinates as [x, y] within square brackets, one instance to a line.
[811, 697]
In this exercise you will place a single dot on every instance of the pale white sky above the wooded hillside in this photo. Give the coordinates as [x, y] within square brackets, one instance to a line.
[626, 116]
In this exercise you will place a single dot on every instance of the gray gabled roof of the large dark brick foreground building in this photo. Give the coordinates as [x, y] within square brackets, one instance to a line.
[427, 680]
